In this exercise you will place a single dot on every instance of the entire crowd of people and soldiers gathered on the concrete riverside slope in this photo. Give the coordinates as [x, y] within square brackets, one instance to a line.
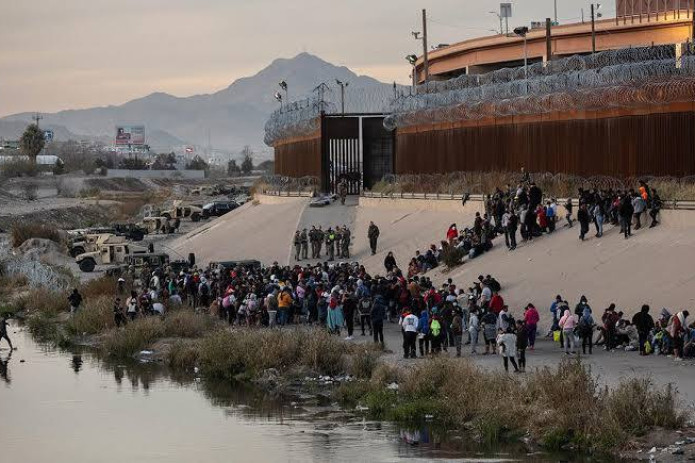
[345, 298]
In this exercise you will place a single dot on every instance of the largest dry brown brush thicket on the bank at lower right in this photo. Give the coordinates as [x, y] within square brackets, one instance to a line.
[558, 408]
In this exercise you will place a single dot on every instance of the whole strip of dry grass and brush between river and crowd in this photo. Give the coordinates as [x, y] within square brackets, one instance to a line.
[558, 405]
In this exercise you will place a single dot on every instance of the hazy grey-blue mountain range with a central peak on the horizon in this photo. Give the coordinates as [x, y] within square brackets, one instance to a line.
[231, 118]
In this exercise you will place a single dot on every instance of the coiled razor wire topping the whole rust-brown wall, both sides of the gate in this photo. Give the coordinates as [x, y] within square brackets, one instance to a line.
[615, 78]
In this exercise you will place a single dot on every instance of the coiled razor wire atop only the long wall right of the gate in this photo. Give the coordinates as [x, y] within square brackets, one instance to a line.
[605, 80]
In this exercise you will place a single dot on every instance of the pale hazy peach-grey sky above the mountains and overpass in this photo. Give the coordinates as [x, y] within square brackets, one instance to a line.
[66, 54]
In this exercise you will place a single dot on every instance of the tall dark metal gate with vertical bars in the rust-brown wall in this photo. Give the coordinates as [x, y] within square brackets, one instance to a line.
[355, 149]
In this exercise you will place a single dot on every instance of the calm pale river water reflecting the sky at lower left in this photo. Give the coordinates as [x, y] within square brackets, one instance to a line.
[62, 407]
